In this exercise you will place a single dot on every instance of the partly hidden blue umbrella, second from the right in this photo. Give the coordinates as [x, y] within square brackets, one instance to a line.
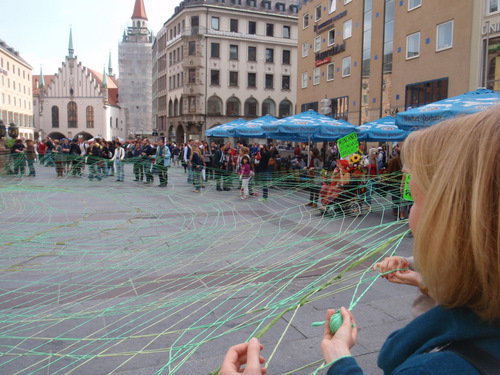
[382, 130]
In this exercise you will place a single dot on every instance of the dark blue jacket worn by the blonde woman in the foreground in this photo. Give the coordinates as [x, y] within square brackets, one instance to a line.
[406, 351]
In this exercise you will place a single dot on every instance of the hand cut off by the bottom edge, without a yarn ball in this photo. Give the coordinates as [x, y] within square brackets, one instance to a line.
[247, 355]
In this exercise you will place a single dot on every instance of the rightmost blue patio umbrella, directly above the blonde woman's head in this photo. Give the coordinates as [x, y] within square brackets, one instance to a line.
[430, 114]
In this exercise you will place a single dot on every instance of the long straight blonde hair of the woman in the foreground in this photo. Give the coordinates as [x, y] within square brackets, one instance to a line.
[456, 166]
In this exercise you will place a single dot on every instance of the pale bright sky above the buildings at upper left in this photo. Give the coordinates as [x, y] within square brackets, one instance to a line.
[39, 29]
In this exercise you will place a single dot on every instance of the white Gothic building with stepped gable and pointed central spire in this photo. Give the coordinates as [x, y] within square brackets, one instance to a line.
[77, 101]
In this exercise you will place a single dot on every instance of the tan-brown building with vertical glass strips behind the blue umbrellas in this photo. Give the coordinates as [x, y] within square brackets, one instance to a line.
[376, 58]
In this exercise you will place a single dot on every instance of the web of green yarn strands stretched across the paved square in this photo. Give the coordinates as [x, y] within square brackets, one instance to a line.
[117, 278]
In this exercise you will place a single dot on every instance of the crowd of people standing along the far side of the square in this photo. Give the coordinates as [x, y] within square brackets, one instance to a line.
[332, 183]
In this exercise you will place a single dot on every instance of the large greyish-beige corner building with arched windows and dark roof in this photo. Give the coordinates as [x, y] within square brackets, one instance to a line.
[217, 61]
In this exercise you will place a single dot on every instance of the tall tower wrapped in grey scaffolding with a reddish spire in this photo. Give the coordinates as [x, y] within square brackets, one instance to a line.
[135, 66]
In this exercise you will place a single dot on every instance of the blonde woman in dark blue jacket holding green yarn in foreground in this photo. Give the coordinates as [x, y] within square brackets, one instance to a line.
[455, 220]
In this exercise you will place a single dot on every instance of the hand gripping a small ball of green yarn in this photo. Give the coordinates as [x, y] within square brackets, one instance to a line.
[339, 344]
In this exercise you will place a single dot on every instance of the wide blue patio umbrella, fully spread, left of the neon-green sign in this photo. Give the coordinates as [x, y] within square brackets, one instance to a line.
[307, 126]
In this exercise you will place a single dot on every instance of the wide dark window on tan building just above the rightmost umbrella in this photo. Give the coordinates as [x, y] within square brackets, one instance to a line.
[421, 93]
